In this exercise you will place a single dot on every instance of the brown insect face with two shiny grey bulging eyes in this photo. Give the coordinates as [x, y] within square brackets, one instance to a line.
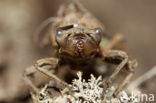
[78, 41]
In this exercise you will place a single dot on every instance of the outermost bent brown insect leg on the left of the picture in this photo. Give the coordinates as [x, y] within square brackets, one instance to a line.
[53, 62]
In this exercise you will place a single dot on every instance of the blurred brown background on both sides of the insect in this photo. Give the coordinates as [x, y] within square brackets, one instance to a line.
[135, 19]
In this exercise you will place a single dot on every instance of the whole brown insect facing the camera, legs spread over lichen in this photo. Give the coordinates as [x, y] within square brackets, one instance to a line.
[76, 35]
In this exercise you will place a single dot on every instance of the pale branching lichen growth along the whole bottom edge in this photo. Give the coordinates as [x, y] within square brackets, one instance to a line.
[86, 92]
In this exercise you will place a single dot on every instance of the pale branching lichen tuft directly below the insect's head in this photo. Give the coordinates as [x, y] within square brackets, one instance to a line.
[88, 91]
